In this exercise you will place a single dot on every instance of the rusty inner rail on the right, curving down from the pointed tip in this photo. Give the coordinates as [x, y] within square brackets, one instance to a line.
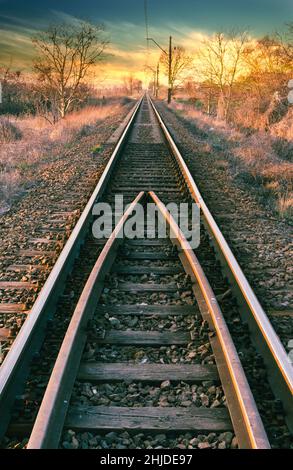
[244, 414]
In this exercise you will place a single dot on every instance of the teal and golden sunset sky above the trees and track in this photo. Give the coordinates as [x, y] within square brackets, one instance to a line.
[187, 20]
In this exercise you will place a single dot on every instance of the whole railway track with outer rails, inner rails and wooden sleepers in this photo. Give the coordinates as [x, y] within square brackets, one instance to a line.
[127, 336]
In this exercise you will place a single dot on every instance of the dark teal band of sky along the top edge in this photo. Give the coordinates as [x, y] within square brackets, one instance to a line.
[261, 15]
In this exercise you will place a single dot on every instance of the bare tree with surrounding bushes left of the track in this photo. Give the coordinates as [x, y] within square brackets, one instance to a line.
[65, 56]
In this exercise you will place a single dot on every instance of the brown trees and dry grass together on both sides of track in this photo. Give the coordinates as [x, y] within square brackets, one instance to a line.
[235, 86]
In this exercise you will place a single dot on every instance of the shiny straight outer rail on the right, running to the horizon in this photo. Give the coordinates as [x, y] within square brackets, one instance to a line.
[279, 367]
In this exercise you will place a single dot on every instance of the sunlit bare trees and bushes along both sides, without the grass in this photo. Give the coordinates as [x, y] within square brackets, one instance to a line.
[227, 71]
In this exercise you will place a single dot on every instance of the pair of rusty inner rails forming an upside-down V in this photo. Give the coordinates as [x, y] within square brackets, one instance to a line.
[51, 417]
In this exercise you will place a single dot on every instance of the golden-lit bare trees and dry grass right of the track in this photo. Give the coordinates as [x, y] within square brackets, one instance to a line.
[238, 95]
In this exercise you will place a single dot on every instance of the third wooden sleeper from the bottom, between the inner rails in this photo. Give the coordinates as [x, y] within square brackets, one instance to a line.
[145, 338]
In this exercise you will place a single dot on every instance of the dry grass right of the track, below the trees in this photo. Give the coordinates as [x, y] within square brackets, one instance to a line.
[262, 159]
